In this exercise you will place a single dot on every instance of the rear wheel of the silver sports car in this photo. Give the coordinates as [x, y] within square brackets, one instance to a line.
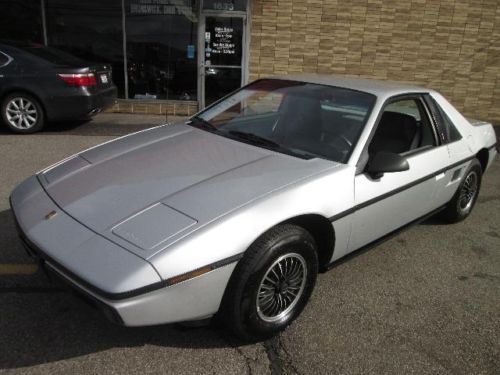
[465, 197]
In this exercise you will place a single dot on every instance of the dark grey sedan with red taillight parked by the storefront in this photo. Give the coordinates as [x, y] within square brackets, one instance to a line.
[40, 84]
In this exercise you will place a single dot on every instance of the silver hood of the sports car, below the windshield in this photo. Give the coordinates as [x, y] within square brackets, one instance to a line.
[146, 190]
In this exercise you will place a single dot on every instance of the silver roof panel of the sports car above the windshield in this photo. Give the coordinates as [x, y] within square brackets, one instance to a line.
[376, 87]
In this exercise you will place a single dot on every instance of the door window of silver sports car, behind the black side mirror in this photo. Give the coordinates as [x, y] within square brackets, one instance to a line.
[403, 126]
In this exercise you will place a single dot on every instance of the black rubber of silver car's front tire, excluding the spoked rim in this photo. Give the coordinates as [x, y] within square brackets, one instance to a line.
[292, 240]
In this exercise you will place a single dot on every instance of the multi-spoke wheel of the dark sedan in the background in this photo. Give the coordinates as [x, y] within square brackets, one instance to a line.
[22, 113]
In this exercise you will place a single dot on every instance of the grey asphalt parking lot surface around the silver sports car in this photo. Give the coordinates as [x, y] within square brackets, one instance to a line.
[425, 302]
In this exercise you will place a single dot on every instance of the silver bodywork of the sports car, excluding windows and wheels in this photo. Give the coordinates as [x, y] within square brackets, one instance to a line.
[145, 208]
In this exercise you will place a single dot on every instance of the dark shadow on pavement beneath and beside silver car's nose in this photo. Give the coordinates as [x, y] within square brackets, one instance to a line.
[43, 322]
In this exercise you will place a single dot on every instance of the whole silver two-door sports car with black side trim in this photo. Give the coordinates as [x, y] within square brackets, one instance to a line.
[232, 213]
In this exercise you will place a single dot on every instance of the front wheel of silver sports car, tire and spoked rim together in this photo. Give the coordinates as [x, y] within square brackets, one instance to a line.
[283, 292]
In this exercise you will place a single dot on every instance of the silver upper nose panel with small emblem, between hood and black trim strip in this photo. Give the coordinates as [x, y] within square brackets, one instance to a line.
[75, 247]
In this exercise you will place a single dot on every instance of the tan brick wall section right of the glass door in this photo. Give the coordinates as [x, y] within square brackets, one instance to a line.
[452, 46]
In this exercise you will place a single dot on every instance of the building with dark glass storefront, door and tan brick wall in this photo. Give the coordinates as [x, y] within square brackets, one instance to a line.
[177, 56]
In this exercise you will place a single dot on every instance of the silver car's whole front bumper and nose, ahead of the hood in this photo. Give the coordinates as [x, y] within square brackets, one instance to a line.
[125, 287]
